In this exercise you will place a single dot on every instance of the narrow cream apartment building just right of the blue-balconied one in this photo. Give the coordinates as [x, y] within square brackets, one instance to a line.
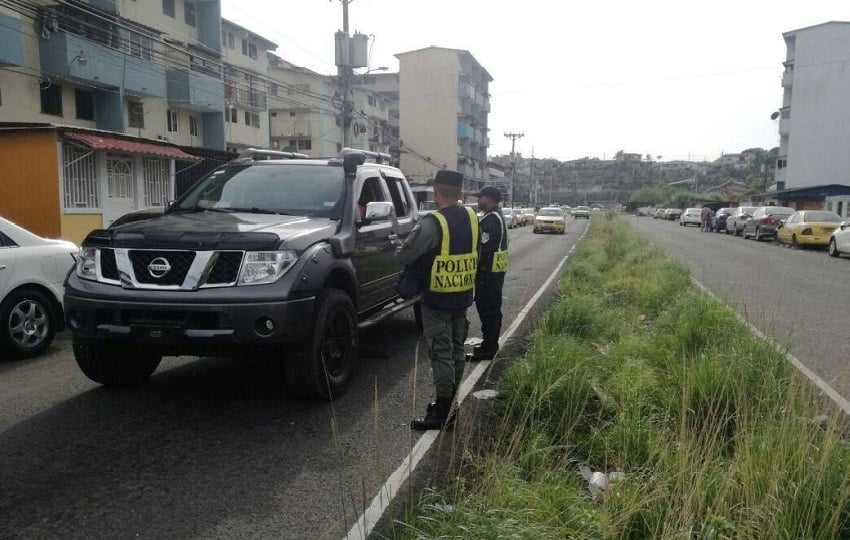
[246, 87]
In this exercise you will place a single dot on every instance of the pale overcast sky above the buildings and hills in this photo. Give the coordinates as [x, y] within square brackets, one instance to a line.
[674, 78]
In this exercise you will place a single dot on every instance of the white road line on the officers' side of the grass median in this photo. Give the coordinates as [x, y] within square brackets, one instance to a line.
[366, 523]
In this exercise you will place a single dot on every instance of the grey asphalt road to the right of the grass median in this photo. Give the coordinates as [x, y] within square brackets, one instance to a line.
[800, 298]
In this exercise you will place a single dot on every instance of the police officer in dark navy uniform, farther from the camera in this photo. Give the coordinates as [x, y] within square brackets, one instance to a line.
[492, 265]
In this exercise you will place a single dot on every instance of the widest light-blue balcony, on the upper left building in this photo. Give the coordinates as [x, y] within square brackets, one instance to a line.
[71, 57]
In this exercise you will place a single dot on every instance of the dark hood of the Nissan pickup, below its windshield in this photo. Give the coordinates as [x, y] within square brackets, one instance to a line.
[218, 230]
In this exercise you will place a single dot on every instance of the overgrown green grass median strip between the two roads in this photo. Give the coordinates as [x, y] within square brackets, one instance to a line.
[645, 409]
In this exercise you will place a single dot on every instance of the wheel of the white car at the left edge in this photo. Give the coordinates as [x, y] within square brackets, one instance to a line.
[27, 324]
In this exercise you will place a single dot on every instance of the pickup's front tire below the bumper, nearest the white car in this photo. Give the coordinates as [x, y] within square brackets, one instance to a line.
[113, 364]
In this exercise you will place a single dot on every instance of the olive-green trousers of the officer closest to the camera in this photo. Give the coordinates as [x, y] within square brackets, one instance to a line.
[445, 332]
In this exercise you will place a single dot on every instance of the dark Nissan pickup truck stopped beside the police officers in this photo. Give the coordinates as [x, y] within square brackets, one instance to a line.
[284, 256]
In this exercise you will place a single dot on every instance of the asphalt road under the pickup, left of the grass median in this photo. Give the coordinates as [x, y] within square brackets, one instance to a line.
[213, 448]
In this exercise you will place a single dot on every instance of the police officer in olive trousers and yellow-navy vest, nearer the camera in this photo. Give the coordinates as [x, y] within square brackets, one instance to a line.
[443, 249]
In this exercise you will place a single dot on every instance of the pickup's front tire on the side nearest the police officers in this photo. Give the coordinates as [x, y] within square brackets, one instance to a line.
[323, 365]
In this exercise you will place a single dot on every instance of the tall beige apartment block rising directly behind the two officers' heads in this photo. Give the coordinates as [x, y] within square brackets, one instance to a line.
[444, 103]
